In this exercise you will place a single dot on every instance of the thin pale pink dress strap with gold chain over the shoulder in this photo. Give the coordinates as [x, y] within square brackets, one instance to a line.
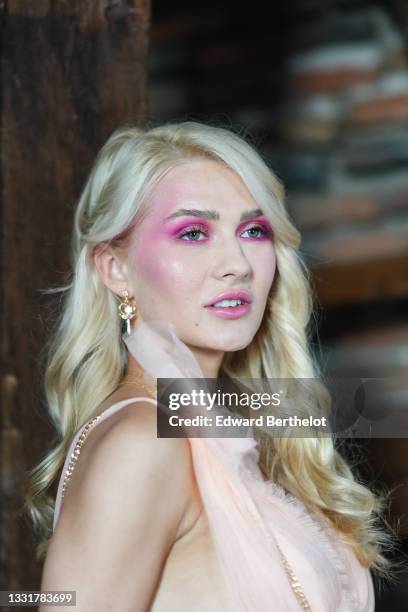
[77, 443]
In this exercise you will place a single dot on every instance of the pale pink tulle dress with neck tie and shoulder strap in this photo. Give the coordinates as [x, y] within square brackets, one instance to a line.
[273, 553]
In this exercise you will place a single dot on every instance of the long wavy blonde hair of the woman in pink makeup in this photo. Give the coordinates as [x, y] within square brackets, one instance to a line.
[86, 359]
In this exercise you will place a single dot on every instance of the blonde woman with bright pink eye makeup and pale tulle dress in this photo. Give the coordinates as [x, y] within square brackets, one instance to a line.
[173, 220]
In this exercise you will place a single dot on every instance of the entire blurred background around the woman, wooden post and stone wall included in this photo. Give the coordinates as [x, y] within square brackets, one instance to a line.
[319, 86]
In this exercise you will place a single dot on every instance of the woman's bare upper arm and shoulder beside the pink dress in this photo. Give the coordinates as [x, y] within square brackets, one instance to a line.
[120, 520]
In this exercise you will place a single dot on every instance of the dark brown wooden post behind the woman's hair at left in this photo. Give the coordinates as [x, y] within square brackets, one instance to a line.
[72, 72]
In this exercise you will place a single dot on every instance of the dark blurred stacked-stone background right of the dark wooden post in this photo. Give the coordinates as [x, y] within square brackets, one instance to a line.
[321, 87]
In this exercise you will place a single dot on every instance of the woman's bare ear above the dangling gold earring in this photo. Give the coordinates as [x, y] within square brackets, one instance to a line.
[112, 268]
